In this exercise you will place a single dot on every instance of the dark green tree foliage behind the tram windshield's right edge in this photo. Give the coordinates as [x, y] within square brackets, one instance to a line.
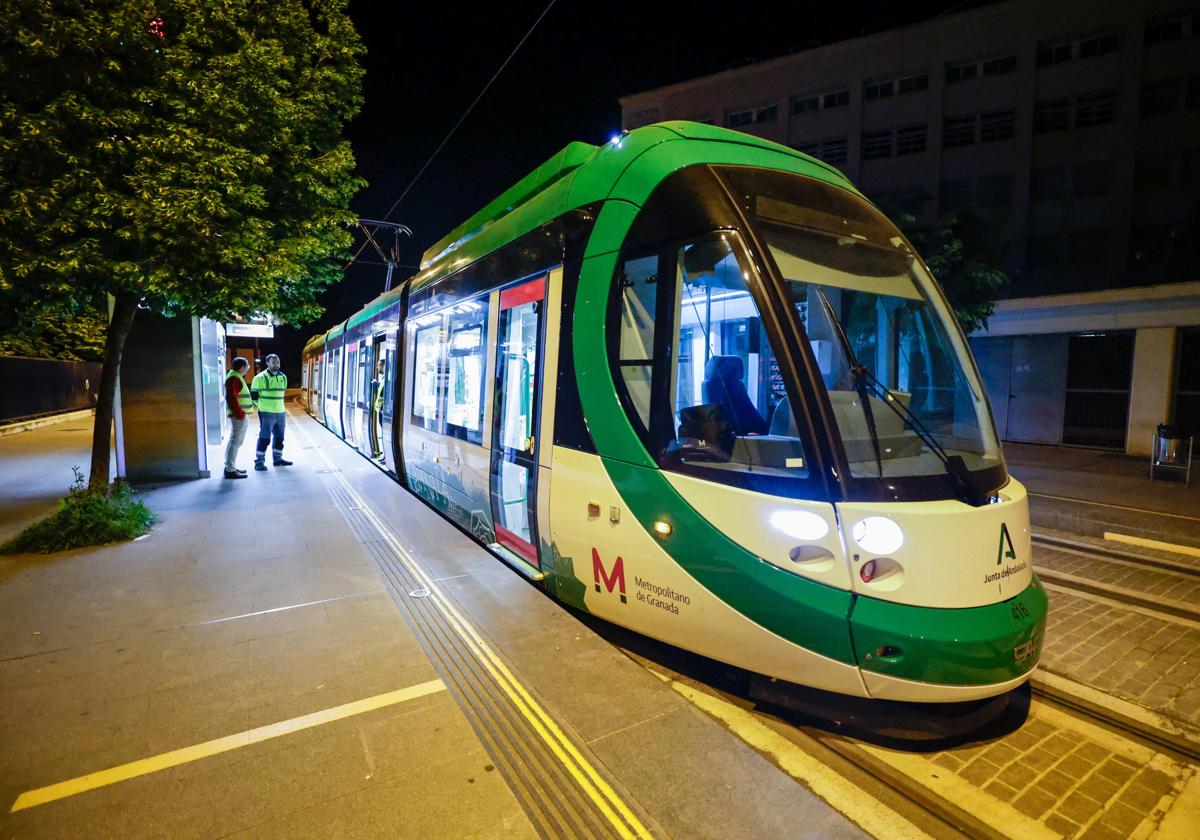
[963, 257]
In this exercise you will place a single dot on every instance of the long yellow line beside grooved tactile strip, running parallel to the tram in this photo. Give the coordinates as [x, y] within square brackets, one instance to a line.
[598, 790]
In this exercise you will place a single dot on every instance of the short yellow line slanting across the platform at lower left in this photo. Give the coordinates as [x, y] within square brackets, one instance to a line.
[211, 748]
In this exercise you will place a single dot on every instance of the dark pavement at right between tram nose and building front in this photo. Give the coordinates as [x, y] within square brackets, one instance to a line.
[1097, 494]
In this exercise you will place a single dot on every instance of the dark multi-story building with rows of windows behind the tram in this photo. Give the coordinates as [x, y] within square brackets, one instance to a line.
[1072, 129]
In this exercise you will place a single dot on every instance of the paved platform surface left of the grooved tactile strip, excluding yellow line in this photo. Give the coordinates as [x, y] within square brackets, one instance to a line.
[250, 604]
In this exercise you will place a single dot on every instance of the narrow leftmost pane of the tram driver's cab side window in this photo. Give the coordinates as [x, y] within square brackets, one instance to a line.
[639, 284]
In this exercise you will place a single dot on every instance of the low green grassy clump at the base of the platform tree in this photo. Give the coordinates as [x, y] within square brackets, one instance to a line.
[86, 518]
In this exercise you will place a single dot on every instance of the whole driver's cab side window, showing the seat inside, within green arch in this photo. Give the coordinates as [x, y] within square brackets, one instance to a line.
[698, 370]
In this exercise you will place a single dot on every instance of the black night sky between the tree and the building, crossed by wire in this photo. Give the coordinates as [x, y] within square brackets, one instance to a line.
[425, 64]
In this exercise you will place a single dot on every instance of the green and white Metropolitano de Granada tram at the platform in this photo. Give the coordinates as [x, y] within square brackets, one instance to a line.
[694, 383]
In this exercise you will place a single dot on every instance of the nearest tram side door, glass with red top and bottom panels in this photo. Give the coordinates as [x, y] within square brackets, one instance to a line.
[514, 471]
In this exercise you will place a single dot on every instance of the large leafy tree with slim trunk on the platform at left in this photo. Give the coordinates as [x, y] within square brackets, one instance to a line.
[184, 157]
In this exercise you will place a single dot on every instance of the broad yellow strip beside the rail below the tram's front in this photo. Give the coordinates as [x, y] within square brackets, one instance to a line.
[872, 815]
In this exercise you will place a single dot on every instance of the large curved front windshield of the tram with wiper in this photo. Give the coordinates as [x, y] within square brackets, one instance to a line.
[904, 392]
